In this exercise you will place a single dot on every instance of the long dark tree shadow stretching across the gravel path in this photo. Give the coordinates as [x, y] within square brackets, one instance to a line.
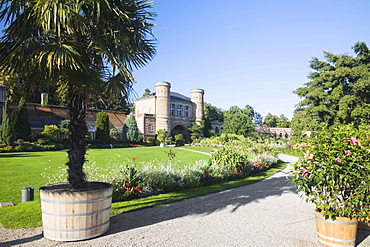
[203, 205]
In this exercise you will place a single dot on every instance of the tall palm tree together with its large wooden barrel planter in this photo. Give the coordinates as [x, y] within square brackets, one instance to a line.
[85, 48]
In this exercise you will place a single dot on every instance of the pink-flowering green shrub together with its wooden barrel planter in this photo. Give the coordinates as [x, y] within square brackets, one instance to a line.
[334, 174]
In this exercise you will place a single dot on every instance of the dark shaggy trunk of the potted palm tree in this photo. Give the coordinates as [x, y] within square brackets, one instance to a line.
[77, 131]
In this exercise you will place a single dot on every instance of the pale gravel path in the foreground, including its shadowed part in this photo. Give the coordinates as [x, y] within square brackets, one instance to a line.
[267, 213]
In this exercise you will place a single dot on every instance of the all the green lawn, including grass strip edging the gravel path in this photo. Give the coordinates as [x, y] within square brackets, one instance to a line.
[23, 169]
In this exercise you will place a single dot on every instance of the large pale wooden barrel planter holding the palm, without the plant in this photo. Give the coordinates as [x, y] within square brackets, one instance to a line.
[77, 215]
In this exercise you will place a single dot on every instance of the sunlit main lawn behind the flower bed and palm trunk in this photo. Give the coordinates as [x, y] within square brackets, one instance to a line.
[24, 169]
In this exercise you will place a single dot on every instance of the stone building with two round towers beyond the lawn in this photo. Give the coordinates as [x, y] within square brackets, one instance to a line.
[168, 110]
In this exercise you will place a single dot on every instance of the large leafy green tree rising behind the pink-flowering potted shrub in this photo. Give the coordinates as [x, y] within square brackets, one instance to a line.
[339, 90]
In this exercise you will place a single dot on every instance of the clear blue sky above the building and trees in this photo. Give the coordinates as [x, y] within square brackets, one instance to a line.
[247, 51]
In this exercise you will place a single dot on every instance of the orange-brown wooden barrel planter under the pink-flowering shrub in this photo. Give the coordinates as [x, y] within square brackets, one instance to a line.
[341, 232]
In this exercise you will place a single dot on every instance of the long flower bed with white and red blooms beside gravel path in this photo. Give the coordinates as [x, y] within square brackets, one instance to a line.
[162, 176]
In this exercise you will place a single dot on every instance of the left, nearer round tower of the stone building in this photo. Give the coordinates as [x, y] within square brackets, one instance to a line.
[162, 106]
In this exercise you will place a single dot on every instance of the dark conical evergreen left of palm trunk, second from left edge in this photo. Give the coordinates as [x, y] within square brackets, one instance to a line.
[21, 123]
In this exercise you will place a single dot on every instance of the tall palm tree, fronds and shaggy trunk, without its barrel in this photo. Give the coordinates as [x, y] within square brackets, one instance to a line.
[83, 46]
